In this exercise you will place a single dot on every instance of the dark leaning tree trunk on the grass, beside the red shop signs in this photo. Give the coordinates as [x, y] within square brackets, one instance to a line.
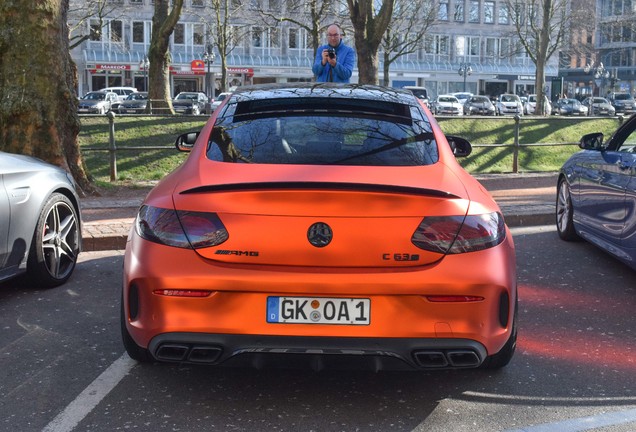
[164, 21]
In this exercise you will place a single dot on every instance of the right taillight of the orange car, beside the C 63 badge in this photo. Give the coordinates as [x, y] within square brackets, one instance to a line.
[456, 234]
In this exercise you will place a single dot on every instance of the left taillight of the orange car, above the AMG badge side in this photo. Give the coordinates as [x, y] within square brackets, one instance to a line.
[184, 229]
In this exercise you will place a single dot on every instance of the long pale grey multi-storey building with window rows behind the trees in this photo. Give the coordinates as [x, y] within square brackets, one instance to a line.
[471, 47]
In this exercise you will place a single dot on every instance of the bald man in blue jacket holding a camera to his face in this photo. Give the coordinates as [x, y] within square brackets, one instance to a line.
[334, 61]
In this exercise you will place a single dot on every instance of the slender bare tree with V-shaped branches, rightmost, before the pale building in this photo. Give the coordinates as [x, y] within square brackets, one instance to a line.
[540, 26]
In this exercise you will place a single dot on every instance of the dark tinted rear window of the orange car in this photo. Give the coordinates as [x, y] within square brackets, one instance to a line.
[343, 132]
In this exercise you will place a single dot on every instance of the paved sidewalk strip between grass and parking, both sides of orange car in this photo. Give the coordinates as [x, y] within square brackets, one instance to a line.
[525, 200]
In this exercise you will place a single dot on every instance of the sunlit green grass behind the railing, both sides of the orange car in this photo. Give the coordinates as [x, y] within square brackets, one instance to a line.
[558, 134]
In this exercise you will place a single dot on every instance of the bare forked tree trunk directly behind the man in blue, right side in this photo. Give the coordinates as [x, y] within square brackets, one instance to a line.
[369, 26]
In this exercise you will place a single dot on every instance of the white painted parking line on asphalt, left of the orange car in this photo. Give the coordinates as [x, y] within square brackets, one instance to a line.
[92, 395]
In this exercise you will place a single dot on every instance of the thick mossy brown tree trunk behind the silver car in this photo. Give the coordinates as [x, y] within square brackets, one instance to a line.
[38, 102]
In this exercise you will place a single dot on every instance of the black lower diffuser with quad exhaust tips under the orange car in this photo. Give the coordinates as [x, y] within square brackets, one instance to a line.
[317, 352]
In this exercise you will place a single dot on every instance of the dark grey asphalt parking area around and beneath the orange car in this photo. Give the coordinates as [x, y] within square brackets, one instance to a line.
[63, 368]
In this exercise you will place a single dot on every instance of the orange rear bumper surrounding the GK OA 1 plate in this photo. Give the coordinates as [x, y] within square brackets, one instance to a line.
[234, 317]
